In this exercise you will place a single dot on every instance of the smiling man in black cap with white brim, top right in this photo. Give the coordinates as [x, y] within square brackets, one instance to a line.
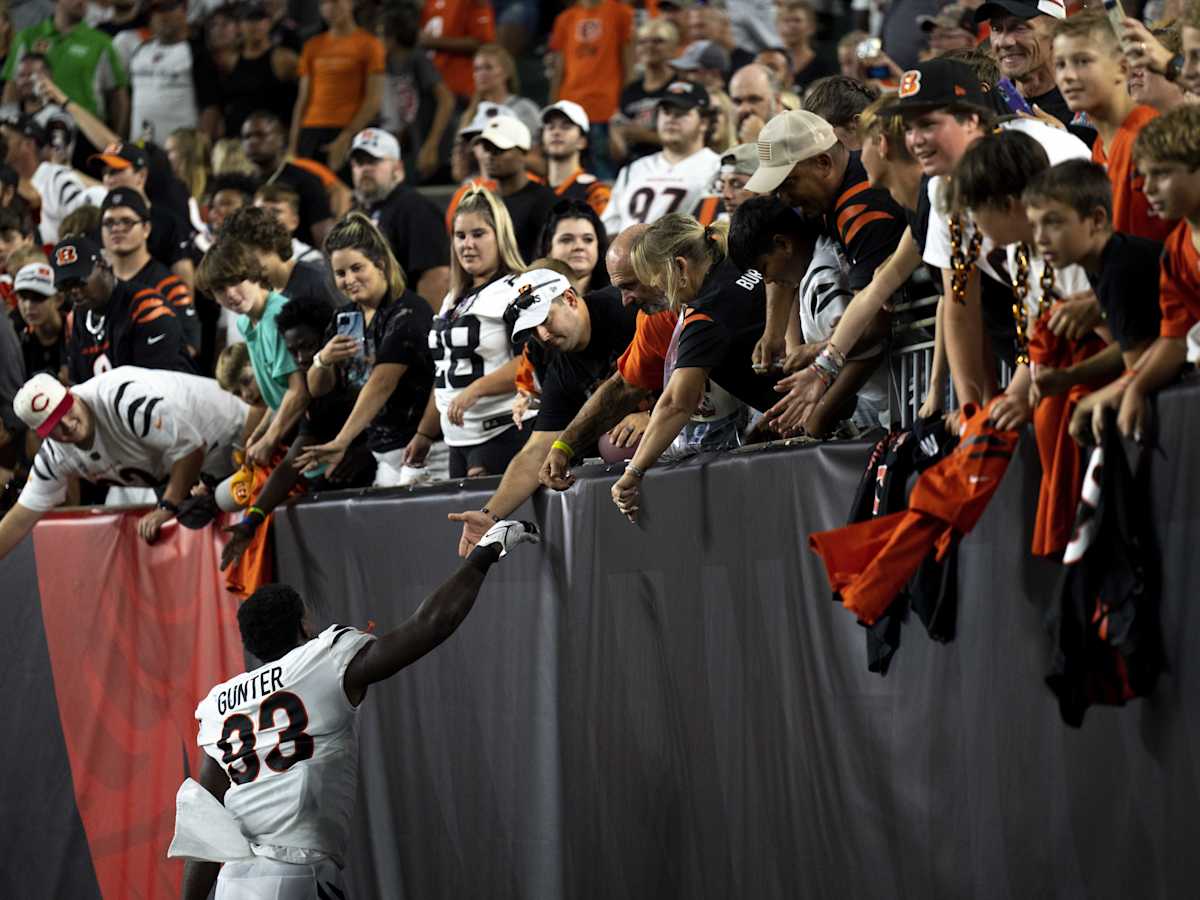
[1022, 43]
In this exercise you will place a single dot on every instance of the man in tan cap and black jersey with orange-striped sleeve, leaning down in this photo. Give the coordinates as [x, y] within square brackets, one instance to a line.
[803, 164]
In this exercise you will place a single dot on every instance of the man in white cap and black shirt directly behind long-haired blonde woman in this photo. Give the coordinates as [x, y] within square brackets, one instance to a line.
[502, 147]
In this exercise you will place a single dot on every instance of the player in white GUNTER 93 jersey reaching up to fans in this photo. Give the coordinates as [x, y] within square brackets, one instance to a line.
[280, 775]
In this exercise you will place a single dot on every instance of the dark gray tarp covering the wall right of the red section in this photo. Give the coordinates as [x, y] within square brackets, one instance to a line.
[676, 710]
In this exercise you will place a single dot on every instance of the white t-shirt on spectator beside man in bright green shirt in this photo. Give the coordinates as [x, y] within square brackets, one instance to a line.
[164, 92]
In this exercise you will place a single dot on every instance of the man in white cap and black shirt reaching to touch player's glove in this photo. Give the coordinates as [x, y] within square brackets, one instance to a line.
[581, 338]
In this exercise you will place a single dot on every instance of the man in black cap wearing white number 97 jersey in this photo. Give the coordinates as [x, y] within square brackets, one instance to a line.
[679, 177]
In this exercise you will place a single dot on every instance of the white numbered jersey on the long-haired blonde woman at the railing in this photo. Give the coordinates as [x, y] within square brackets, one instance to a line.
[470, 341]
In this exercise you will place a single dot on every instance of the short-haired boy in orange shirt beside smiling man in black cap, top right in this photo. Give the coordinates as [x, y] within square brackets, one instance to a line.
[1093, 75]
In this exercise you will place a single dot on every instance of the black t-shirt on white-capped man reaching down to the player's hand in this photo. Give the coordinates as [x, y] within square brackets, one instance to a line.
[568, 380]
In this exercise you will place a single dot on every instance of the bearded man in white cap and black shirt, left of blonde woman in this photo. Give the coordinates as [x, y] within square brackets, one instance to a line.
[406, 218]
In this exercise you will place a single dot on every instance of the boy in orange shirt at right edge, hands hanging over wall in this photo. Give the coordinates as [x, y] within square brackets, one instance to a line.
[1168, 155]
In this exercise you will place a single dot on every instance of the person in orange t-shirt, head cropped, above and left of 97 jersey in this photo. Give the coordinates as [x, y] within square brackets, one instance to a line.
[593, 59]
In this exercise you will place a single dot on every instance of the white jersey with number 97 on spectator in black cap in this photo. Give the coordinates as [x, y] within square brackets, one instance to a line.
[649, 189]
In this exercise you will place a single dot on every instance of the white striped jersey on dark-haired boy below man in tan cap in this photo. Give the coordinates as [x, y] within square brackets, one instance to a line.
[824, 297]
